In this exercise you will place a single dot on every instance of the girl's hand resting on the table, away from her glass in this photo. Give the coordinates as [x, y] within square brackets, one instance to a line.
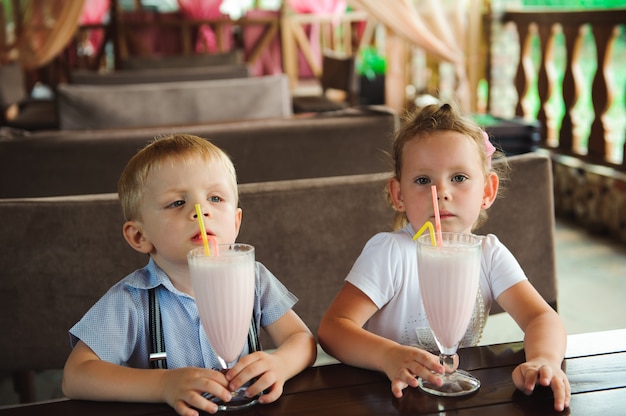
[527, 375]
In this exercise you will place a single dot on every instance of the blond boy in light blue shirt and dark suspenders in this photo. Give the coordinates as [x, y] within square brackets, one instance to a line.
[110, 359]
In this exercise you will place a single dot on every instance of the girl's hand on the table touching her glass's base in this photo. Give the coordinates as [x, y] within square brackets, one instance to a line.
[403, 364]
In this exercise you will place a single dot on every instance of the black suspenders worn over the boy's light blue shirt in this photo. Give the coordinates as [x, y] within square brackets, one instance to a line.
[158, 356]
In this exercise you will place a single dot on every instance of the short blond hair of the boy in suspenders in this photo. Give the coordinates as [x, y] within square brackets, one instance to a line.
[177, 148]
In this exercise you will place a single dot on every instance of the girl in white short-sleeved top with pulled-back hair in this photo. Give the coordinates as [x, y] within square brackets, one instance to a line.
[375, 321]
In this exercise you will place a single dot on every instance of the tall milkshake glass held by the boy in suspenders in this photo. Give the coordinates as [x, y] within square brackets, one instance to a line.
[223, 285]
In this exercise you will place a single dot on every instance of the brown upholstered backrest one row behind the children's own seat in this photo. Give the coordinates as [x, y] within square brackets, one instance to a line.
[90, 161]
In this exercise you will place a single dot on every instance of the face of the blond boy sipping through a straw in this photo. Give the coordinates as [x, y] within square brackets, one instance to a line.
[169, 226]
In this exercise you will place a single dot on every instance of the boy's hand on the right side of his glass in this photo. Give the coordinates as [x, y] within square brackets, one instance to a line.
[267, 367]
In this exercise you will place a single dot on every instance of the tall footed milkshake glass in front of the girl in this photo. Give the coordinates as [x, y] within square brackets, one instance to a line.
[449, 276]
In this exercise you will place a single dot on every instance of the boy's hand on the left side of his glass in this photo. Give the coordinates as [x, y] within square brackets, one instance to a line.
[183, 389]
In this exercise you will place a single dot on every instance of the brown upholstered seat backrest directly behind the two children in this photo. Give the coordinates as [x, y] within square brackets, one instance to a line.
[61, 254]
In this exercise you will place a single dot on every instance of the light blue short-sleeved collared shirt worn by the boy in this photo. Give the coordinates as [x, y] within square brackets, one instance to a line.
[116, 328]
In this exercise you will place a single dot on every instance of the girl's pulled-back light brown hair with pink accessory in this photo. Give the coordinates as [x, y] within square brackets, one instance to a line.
[433, 118]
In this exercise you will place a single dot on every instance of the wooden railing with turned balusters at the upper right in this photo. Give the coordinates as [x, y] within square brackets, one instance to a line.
[572, 64]
